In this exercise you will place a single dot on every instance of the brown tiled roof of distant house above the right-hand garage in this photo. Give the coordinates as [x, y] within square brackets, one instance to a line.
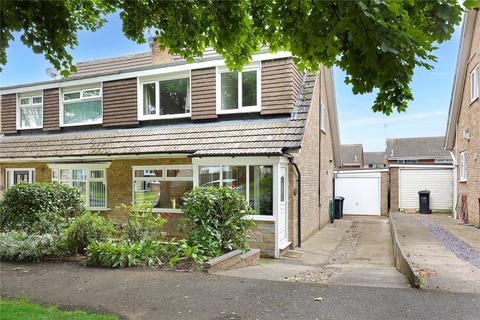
[417, 148]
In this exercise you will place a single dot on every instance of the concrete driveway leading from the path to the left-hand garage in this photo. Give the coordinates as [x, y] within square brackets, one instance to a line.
[356, 250]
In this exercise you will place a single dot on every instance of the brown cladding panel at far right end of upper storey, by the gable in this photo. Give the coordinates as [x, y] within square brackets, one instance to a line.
[281, 82]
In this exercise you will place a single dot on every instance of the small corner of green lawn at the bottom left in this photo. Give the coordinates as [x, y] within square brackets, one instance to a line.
[24, 310]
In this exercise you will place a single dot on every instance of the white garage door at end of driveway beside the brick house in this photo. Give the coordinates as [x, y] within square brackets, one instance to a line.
[361, 192]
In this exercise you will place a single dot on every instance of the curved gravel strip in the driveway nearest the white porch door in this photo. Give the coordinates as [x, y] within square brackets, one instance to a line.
[341, 255]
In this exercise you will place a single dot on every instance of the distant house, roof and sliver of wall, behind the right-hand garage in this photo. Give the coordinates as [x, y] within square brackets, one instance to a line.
[420, 150]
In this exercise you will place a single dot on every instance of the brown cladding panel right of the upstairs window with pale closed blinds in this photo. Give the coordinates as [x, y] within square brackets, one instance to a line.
[120, 102]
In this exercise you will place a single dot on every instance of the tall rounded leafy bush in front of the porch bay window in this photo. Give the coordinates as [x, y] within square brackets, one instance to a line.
[214, 220]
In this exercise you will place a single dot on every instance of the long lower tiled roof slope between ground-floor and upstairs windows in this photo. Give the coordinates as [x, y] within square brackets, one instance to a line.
[246, 137]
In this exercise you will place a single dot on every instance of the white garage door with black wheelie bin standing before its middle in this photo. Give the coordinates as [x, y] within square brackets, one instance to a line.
[438, 181]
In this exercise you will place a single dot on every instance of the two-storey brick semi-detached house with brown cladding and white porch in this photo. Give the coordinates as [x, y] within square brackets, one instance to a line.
[150, 127]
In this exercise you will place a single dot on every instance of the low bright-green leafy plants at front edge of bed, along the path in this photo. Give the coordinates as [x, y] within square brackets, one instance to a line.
[122, 253]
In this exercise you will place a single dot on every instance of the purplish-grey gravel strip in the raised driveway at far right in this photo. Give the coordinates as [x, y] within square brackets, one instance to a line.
[461, 249]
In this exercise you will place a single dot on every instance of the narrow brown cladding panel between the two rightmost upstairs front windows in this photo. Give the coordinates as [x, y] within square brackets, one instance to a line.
[203, 91]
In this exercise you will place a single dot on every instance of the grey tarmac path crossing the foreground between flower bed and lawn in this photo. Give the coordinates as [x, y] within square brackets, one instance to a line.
[149, 294]
